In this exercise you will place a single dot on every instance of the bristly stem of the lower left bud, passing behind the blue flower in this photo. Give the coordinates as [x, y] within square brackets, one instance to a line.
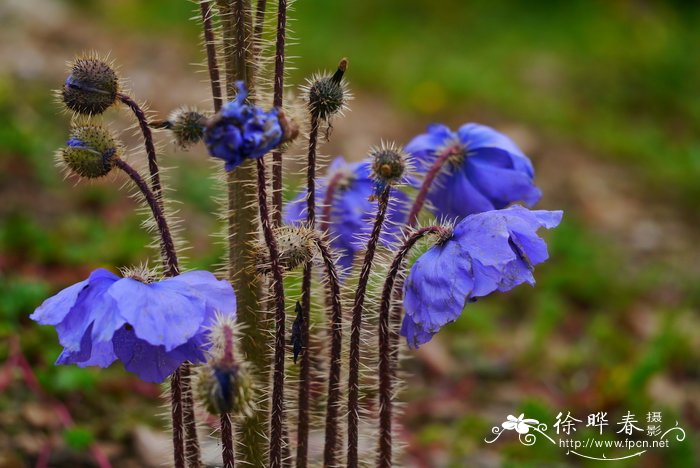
[178, 386]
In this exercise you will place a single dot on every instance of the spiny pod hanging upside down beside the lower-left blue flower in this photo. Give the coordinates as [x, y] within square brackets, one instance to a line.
[223, 384]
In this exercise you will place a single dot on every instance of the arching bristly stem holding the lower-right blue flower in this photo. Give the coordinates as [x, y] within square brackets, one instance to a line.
[386, 364]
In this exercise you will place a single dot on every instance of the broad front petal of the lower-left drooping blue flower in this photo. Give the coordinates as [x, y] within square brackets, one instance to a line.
[165, 313]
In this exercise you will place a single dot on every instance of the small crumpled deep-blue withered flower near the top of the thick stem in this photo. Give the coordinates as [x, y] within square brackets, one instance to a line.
[241, 131]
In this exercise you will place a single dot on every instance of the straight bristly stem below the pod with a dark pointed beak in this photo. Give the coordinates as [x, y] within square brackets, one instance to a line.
[304, 378]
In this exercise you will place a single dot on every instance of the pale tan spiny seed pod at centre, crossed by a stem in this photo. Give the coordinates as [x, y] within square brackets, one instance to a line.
[296, 246]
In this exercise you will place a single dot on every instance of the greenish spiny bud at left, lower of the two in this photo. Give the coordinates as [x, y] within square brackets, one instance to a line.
[90, 151]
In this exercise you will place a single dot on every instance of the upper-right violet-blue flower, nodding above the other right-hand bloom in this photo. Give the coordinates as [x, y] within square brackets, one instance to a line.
[485, 171]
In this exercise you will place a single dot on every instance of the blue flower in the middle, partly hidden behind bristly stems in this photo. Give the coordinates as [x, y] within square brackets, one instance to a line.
[351, 211]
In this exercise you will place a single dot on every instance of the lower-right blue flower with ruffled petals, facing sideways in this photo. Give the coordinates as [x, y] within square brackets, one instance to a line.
[494, 250]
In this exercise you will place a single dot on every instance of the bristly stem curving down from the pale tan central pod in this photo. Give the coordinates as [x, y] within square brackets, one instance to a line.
[333, 403]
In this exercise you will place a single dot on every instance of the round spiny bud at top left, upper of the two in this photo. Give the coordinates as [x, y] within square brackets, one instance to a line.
[92, 86]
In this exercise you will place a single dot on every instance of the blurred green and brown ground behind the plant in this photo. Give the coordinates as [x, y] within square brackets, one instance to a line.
[603, 95]
